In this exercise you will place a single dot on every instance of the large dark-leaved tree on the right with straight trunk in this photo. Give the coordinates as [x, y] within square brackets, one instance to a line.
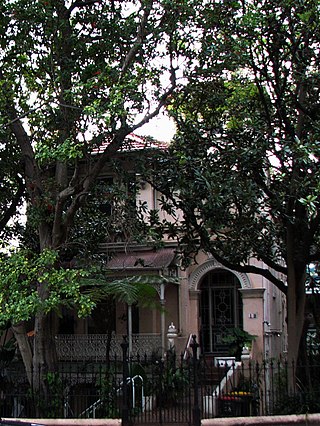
[244, 167]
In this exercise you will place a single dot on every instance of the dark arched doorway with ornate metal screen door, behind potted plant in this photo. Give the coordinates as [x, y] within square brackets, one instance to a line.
[220, 309]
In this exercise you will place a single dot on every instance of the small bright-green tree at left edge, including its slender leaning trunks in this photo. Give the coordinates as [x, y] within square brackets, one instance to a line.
[22, 273]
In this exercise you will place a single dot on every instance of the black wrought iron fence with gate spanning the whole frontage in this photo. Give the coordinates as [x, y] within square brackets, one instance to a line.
[172, 389]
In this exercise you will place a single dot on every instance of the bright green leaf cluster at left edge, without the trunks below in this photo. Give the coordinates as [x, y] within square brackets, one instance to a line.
[22, 272]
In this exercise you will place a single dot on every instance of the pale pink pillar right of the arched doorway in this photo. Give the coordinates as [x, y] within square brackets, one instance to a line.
[253, 317]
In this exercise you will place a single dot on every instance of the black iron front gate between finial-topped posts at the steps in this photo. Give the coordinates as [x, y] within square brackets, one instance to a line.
[160, 391]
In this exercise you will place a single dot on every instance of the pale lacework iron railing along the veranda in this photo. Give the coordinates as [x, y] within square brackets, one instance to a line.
[93, 347]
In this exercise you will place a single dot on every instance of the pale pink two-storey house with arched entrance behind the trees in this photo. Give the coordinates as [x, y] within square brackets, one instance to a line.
[206, 299]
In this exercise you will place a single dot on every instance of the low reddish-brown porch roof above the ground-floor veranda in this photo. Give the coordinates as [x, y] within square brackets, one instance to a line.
[143, 259]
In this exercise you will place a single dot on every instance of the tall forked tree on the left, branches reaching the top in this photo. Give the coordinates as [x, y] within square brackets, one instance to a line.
[76, 78]
